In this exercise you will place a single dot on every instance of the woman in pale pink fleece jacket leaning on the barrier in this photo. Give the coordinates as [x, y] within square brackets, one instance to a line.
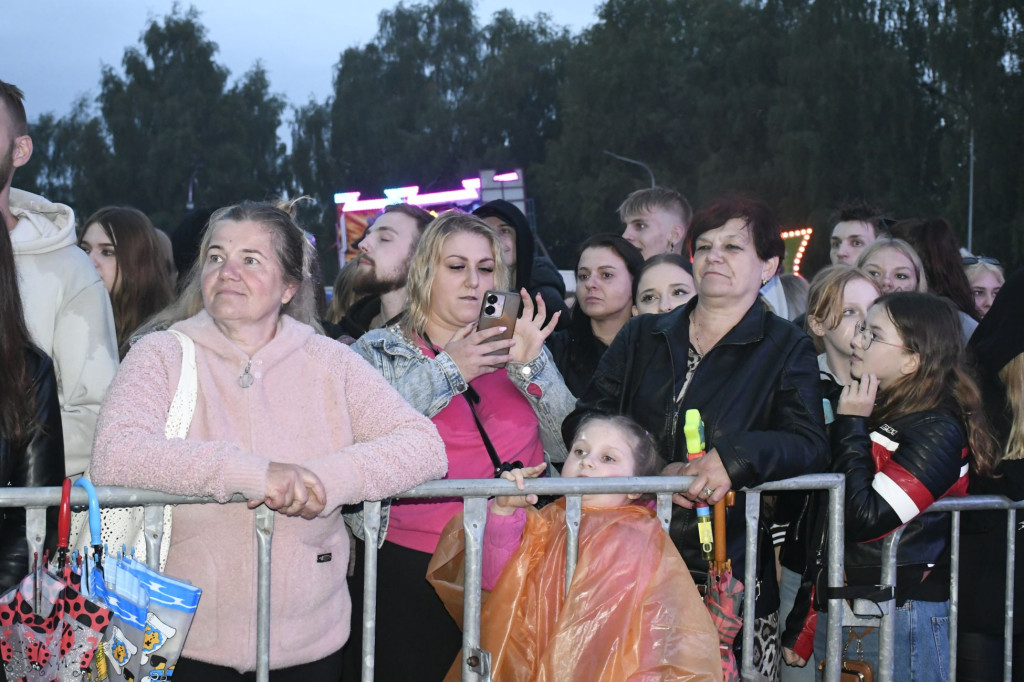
[287, 418]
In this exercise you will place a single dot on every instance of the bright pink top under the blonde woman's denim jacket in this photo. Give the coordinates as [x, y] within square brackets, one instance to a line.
[513, 428]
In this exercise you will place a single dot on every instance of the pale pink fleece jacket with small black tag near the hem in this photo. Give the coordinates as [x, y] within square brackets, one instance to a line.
[314, 403]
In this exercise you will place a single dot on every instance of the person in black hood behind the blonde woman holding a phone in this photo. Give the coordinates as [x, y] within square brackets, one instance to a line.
[537, 274]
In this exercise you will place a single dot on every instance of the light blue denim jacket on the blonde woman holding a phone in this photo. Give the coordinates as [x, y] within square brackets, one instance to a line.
[430, 385]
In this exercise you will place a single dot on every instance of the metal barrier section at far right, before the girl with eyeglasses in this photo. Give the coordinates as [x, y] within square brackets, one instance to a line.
[956, 506]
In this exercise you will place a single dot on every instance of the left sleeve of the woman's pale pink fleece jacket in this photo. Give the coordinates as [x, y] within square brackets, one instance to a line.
[132, 450]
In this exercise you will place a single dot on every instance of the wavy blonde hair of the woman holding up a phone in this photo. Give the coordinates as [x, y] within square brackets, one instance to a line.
[429, 255]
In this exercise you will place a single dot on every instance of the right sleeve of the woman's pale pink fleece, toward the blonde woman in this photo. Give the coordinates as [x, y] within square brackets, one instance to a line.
[395, 447]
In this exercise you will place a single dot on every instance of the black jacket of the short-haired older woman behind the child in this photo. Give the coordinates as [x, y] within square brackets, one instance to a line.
[758, 395]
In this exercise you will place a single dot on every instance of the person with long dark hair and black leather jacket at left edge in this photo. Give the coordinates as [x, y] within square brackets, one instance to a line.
[31, 438]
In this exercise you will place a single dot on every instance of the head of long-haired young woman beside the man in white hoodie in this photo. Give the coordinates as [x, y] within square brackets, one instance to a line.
[123, 246]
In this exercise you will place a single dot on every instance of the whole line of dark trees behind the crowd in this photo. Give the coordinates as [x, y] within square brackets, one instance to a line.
[803, 104]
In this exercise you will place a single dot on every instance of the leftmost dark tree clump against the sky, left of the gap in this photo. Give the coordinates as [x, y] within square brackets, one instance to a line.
[167, 114]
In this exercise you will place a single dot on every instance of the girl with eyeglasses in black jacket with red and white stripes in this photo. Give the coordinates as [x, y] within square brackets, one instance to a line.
[909, 429]
